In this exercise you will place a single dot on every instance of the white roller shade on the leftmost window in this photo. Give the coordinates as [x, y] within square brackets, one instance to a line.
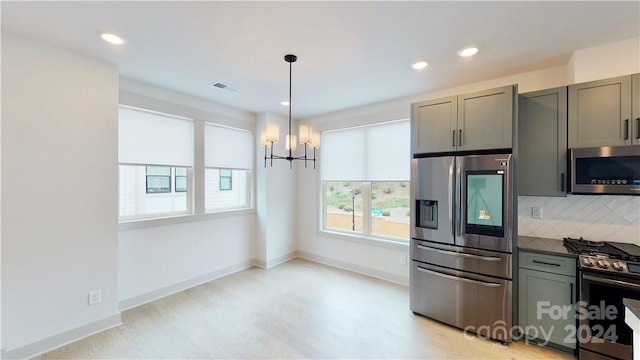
[151, 138]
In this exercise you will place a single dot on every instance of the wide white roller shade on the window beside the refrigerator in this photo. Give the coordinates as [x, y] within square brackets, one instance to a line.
[373, 153]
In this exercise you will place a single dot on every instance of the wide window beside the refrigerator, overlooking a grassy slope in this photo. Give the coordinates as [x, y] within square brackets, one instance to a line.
[365, 177]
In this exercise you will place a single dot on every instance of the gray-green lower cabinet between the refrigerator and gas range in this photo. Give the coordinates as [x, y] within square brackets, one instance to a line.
[546, 298]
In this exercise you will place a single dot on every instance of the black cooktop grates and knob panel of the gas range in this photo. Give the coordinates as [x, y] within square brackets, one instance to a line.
[607, 257]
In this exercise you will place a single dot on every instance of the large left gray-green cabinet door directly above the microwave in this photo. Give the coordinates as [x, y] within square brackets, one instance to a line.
[600, 113]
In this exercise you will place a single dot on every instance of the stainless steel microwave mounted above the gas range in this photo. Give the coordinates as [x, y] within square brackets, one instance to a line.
[606, 170]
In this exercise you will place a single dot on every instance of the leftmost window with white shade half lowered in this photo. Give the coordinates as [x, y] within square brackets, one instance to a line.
[153, 149]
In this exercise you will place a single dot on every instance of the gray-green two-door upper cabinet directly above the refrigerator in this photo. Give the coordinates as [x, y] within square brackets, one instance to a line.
[476, 121]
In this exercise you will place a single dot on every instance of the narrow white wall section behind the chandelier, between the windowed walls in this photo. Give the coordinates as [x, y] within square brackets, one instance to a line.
[276, 206]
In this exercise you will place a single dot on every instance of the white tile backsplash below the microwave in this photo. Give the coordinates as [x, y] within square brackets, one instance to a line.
[594, 217]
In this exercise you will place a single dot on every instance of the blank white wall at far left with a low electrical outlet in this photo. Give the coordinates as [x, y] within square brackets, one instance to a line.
[59, 194]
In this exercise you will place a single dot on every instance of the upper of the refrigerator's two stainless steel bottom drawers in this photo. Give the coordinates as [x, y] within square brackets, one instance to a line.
[485, 262]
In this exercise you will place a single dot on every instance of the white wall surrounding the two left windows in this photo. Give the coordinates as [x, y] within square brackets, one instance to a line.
[161, 257]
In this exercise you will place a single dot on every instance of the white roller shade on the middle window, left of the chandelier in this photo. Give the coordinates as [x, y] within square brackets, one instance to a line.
[227, 148]
